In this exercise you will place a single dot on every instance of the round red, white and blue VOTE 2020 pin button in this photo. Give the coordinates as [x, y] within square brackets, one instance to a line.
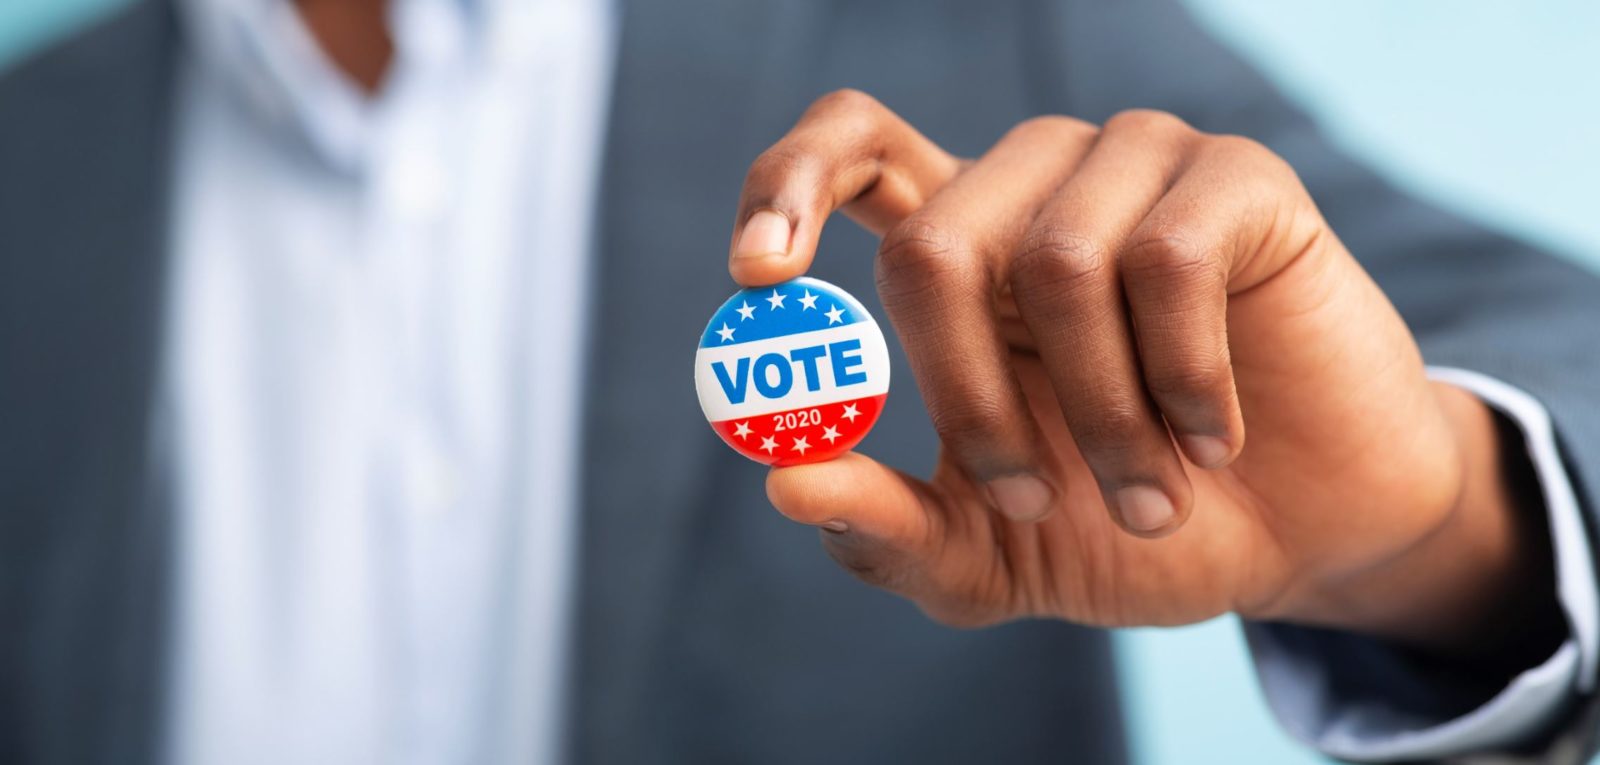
[793, 374]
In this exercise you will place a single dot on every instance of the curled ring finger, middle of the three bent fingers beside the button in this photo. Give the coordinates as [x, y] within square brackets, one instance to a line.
[1070, 295]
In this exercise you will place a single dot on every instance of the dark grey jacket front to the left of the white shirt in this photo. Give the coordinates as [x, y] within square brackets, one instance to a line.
[84, 537]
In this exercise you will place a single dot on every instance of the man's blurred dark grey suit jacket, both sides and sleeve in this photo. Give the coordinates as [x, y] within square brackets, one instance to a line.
[710, 628]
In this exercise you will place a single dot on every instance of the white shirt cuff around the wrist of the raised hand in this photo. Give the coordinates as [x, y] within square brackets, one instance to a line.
[1358, 700]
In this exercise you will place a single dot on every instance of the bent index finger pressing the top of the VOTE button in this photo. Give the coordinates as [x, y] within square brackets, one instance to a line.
[847, 153]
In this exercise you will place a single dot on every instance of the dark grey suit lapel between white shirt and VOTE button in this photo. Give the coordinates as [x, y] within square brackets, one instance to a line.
[689, 78]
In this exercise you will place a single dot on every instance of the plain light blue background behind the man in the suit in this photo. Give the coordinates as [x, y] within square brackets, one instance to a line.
[1486, 106]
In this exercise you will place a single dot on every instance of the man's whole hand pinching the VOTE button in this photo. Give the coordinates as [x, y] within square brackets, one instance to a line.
[1095, 318]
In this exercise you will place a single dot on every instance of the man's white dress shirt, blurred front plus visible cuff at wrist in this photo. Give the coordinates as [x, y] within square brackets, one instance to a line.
[374, 385]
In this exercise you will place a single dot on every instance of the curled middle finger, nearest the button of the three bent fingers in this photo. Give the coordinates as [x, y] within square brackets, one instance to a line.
[938, 276]
